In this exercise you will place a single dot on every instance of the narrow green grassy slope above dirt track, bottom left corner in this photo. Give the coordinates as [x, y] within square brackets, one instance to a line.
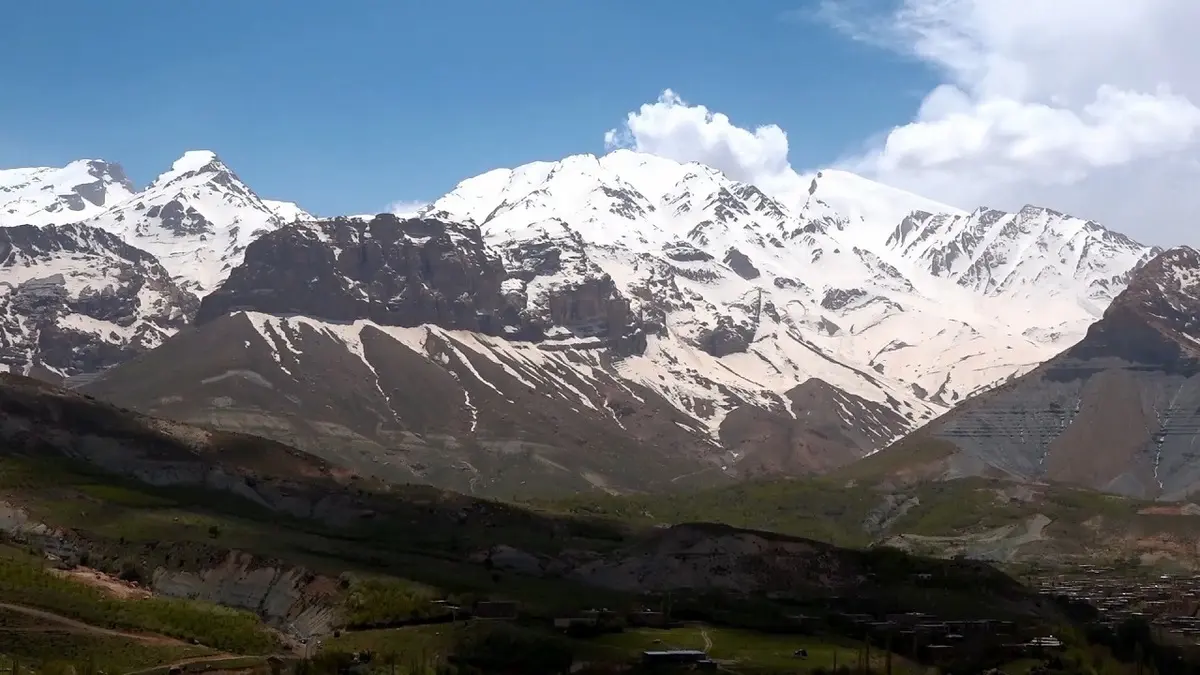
[26, 583]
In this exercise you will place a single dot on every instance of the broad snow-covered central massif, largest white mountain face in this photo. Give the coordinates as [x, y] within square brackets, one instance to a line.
[784, 294]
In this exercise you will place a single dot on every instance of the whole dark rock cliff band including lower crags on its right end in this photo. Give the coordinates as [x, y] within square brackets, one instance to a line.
[409, 273]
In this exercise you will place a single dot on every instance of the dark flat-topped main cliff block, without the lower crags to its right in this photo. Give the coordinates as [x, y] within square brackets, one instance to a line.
[392, 272]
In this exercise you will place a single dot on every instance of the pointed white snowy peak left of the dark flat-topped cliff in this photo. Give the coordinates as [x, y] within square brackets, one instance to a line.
[197, 219]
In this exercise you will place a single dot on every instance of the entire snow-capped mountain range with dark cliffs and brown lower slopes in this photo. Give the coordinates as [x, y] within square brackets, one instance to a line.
[622, 322]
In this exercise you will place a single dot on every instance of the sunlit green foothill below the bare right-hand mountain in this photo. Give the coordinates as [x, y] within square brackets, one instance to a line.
[939, 518]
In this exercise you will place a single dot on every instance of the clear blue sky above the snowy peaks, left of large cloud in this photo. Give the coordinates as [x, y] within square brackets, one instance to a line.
[346, 107]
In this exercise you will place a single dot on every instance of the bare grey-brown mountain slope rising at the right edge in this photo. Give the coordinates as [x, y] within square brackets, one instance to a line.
[1120, 411]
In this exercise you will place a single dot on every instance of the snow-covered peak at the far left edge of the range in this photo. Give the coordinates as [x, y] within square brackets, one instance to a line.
[71, 194]
